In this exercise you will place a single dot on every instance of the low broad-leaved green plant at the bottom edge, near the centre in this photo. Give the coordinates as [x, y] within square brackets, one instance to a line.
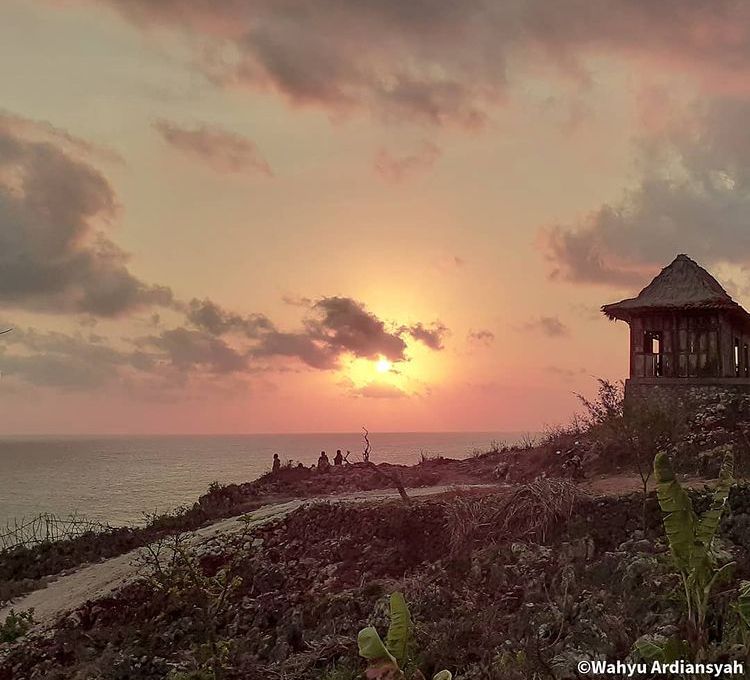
[388, 661]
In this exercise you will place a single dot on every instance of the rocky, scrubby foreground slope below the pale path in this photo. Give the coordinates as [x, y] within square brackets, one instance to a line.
[514, 584]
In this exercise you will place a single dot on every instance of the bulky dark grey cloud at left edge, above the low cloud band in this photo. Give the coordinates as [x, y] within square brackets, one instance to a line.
[54, 253]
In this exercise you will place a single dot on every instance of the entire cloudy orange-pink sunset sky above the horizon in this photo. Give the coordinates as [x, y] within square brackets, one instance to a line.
[314, 215]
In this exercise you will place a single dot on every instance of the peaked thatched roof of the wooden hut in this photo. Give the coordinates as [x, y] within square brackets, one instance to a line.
[684, 284]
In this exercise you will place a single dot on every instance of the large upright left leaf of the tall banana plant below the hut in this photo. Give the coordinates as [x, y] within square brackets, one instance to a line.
[679, 518]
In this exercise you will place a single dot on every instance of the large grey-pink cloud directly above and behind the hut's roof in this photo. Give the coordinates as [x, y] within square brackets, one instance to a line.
[695, 181]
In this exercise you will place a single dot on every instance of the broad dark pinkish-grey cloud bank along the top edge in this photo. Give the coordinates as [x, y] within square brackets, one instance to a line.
[441, 61]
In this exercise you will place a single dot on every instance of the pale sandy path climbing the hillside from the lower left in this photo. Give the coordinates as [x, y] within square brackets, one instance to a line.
[97, 580]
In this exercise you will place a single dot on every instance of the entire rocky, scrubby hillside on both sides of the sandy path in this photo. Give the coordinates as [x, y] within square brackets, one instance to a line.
[519, 581]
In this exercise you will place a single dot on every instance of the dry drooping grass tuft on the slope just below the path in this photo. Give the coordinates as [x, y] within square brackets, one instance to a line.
[528, 511]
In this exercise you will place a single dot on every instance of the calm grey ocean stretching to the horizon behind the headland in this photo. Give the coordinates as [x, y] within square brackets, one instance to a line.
[117, 479]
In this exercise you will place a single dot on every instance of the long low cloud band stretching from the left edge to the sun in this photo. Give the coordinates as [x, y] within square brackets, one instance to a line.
[210, 342]
